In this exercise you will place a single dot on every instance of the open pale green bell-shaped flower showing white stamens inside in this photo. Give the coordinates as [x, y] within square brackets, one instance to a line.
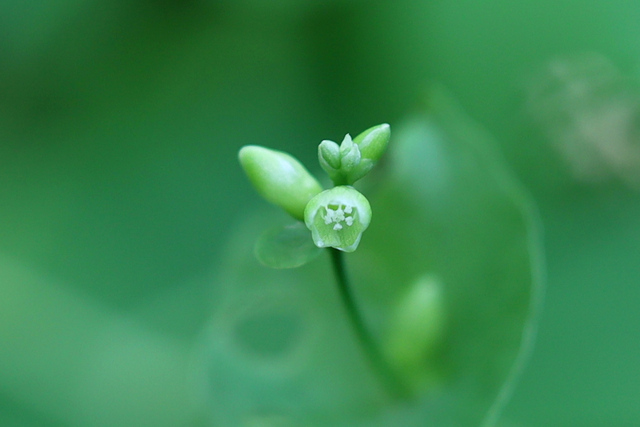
[337, 218]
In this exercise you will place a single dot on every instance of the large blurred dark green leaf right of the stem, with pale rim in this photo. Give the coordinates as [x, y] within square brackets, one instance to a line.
[451, 210]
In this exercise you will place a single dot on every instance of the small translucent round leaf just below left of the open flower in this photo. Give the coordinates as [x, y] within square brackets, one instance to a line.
[288, 246]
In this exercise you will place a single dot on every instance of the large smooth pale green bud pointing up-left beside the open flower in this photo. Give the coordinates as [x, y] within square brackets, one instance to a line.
[279, 178]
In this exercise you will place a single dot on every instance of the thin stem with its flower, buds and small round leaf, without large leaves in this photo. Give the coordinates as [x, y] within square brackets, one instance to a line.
[336, 218]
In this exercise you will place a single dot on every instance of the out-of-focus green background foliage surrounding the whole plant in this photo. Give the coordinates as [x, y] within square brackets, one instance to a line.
[119, 127]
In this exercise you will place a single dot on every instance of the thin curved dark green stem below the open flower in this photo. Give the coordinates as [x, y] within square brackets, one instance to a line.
[371, 350]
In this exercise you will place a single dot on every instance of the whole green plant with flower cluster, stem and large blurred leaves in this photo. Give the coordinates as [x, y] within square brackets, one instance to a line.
[439, 294]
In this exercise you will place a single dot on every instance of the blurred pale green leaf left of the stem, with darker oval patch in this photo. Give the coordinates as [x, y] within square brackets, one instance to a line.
[279, 346]
